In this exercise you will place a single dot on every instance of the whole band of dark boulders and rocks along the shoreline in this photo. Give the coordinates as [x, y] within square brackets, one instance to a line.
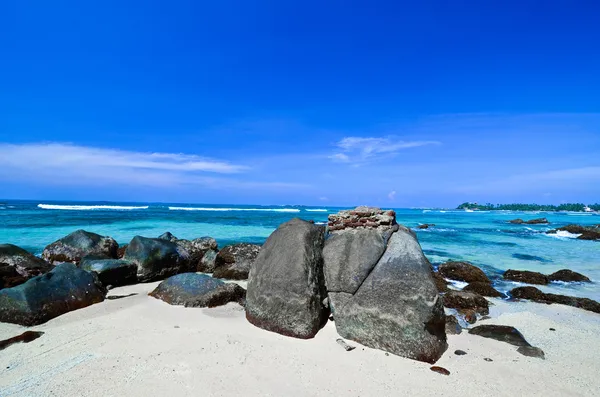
[363, 271]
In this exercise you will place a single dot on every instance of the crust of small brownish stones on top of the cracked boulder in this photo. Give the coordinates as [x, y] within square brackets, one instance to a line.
[362, 218]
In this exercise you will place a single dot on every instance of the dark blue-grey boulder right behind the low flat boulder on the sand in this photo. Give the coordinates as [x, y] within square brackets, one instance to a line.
[156, 259]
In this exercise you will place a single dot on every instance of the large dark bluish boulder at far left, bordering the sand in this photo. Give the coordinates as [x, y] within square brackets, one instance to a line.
[41, 298]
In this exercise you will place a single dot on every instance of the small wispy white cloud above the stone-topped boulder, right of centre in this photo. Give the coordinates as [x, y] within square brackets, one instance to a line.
[362, 149]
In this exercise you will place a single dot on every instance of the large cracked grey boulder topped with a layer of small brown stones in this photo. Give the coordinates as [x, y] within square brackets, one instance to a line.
[392, 303]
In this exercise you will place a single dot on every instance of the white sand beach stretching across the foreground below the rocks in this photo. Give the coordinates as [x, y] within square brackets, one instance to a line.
[140, 346]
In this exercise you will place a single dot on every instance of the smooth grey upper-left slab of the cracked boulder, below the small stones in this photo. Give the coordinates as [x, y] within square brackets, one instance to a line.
[350, 257]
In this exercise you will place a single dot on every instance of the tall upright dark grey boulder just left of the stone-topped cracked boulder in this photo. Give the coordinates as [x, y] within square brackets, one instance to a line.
[286, 287]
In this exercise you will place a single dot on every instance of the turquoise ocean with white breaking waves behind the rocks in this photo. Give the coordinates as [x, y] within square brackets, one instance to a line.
[484, 238]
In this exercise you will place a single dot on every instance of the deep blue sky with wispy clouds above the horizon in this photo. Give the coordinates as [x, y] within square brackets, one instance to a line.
[326, 103]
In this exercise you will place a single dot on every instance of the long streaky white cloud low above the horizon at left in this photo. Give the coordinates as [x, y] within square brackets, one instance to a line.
[58, 164]
